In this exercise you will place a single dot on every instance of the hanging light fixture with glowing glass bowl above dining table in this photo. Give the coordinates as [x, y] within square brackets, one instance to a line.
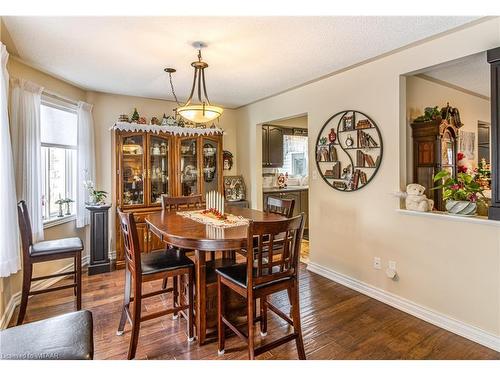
[202, 111]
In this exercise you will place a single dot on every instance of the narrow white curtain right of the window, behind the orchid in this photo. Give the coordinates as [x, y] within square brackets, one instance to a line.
[86, 161]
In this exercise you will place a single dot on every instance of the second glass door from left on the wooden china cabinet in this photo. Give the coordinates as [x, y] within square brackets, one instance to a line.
[158, 168]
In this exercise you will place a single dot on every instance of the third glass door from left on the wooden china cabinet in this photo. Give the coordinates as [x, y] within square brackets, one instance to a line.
[189, 166]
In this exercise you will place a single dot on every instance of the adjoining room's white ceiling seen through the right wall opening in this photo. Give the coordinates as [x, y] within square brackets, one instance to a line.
[471, 73]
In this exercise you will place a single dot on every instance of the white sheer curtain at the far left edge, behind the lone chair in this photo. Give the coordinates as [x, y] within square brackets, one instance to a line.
[9, 244]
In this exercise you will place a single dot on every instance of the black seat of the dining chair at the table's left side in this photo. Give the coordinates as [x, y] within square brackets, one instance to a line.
[164, 260]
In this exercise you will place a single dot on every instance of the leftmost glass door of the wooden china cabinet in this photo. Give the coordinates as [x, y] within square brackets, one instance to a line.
[133, 170]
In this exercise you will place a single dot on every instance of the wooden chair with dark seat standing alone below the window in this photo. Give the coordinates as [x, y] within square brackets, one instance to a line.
[45, 251]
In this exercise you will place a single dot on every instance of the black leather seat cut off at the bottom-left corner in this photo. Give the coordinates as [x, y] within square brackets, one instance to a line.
[67, 336]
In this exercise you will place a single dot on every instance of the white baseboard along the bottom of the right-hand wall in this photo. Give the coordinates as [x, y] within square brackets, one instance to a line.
[443, 321]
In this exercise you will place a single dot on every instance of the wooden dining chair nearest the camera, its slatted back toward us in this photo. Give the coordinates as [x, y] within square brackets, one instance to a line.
[258, 280]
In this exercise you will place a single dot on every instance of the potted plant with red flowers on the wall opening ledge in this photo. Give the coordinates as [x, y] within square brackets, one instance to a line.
[461, 193]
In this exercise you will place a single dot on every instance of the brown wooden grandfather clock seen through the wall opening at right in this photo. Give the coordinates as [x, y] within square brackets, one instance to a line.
[434, 148]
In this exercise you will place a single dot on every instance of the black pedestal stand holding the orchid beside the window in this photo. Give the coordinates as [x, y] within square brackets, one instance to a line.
[99, 254]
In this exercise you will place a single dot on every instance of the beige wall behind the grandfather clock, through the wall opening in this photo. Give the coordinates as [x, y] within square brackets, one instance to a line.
[421, 93]
